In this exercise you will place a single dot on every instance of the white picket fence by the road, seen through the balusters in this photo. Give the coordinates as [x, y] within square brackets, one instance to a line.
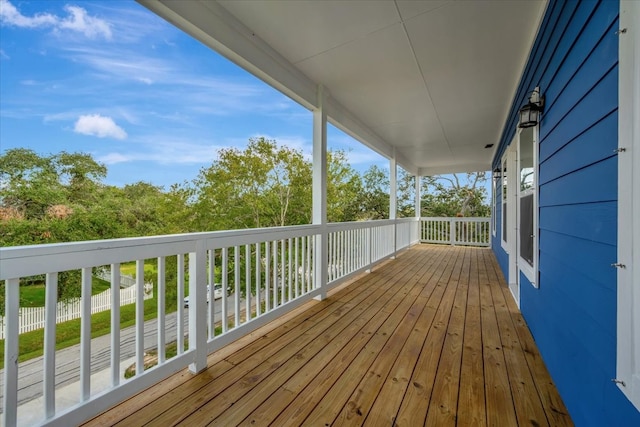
[32, 318]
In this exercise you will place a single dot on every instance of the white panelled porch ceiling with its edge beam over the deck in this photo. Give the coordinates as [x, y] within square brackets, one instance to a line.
[431, 81]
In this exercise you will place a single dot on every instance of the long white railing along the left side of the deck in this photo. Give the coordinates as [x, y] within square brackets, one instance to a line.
[264, 273]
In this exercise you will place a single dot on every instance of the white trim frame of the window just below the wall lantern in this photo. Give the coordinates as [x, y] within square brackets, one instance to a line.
[530, 271]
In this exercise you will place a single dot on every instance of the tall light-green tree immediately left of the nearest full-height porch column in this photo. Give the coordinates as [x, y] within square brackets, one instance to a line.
[261, 186]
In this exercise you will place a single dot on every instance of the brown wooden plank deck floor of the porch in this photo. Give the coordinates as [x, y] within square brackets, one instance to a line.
[431, 338]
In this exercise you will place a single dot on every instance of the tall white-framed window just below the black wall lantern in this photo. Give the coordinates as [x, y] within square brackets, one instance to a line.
[527, 202]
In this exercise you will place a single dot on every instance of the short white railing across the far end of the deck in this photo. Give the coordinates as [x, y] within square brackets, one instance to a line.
[456, 231]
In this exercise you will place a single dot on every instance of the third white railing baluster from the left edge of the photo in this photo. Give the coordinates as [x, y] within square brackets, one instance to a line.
[85, 335]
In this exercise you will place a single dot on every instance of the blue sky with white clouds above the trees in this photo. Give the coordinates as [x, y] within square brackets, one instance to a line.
[112, 79]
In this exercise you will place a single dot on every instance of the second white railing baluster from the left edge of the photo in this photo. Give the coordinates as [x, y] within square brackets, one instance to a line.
[49, 383]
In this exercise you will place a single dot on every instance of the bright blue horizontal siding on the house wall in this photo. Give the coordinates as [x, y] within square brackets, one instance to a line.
[572, 314]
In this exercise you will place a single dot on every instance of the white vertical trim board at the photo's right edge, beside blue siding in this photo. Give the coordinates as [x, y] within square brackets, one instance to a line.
[628, 277]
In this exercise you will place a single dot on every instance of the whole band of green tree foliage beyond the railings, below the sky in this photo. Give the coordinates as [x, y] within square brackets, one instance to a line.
[63, 197]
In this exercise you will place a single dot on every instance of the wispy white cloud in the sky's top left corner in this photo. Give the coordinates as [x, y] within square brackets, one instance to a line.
[77, 20]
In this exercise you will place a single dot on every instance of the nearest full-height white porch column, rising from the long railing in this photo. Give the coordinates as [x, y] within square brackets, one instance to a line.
[320, 192]
